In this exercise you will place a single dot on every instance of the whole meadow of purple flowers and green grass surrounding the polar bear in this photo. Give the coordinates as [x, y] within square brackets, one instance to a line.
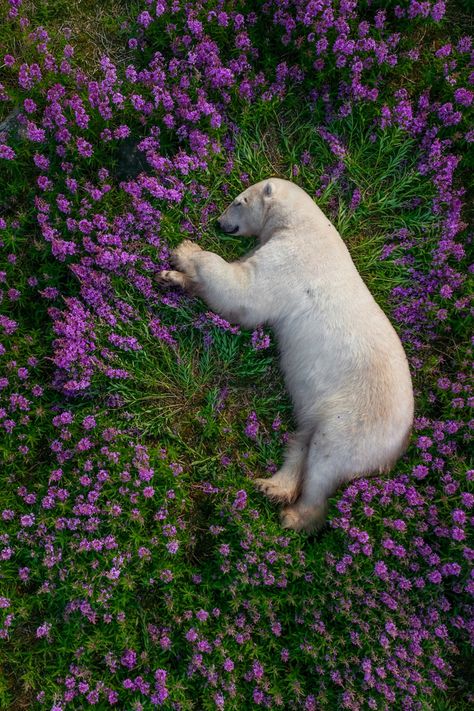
[139, 567]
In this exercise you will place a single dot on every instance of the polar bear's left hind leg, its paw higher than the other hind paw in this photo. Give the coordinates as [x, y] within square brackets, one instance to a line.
[284, 485]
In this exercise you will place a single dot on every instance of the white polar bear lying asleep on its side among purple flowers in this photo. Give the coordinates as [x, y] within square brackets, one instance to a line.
[343, 363]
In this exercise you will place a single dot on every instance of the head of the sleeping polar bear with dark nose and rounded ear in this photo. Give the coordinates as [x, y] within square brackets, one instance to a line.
[247, 214]
